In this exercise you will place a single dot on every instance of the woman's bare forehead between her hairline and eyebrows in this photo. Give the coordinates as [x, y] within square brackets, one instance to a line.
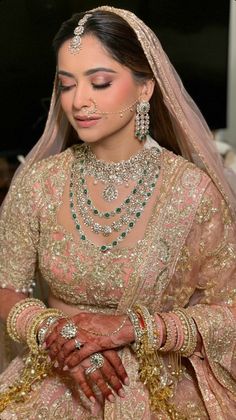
[91, 54]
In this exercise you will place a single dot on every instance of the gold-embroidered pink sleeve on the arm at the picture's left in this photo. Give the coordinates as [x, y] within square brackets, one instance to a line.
[19, 234]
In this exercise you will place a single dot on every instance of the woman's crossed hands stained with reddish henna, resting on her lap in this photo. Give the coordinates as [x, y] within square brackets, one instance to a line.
[112, 374]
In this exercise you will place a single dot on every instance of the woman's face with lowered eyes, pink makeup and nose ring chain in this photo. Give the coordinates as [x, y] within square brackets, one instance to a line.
[92, 77]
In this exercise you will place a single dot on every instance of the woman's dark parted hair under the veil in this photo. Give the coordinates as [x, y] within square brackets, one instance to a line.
[121, 42]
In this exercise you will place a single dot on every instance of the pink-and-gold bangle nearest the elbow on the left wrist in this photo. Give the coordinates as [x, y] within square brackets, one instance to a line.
[15, 311]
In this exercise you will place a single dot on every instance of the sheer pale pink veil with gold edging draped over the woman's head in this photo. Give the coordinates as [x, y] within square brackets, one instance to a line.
[193, 135]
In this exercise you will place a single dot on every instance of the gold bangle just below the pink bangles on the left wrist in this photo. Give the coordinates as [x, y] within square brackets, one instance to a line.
[31, 335]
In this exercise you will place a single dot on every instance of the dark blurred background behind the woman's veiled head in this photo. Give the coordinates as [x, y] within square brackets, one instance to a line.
[199, 37]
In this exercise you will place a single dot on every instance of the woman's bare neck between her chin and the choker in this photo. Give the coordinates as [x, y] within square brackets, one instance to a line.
[116, 151]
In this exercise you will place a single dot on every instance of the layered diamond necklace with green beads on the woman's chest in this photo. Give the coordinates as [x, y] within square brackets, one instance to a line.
[143, 168]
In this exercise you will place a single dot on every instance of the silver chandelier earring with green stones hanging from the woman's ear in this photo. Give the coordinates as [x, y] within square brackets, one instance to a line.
[142, 120]
